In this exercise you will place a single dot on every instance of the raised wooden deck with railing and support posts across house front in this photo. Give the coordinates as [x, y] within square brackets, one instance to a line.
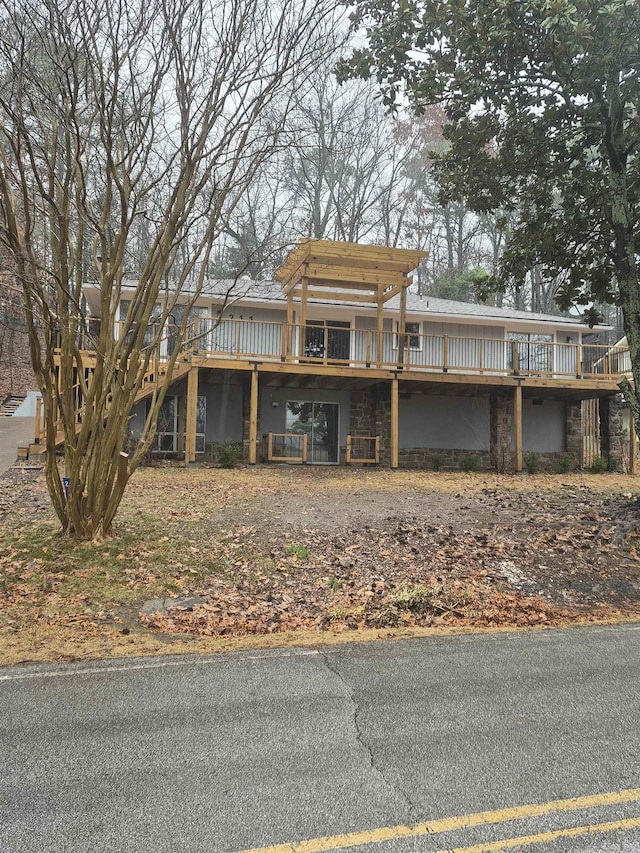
[288, 354]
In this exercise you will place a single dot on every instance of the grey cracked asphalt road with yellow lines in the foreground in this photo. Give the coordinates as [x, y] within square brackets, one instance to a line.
[387, 742]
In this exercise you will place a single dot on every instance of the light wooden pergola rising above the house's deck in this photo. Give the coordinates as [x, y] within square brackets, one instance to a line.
[347, 272]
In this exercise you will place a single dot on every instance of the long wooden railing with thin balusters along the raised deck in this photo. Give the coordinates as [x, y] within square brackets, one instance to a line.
[231, 338]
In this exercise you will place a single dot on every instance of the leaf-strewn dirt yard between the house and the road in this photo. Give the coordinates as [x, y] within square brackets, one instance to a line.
[217, 555]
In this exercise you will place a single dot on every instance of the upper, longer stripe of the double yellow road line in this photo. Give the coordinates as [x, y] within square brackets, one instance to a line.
[391, 833]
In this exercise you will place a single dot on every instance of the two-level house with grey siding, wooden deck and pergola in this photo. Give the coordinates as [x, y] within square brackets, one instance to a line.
[339, 362]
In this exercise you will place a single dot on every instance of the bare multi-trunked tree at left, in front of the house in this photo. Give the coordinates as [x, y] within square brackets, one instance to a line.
[134, 118]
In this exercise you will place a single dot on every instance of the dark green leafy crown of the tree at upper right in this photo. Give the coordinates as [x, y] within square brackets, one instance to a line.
[541, 100]
